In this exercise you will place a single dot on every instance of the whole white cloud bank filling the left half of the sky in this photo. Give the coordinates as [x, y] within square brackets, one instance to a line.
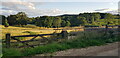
[28, 7]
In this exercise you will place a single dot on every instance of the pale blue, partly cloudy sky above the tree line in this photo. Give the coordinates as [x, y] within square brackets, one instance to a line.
[57, 7]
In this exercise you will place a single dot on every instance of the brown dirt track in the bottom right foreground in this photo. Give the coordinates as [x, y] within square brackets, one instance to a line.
[111, 49]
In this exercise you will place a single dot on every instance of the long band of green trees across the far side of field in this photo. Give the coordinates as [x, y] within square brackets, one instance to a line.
[66, 20]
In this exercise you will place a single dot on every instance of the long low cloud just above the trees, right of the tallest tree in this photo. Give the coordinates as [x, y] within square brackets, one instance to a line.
[48, 12]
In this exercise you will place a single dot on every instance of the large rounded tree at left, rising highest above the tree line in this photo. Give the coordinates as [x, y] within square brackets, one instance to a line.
[19, 19]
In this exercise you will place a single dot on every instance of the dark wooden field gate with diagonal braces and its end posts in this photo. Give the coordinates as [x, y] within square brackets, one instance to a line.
[63, 34]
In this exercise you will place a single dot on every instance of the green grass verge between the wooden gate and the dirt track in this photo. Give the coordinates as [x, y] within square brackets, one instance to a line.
[85, 39]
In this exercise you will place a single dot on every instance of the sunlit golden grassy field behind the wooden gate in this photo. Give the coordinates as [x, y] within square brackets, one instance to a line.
[15, 31]
